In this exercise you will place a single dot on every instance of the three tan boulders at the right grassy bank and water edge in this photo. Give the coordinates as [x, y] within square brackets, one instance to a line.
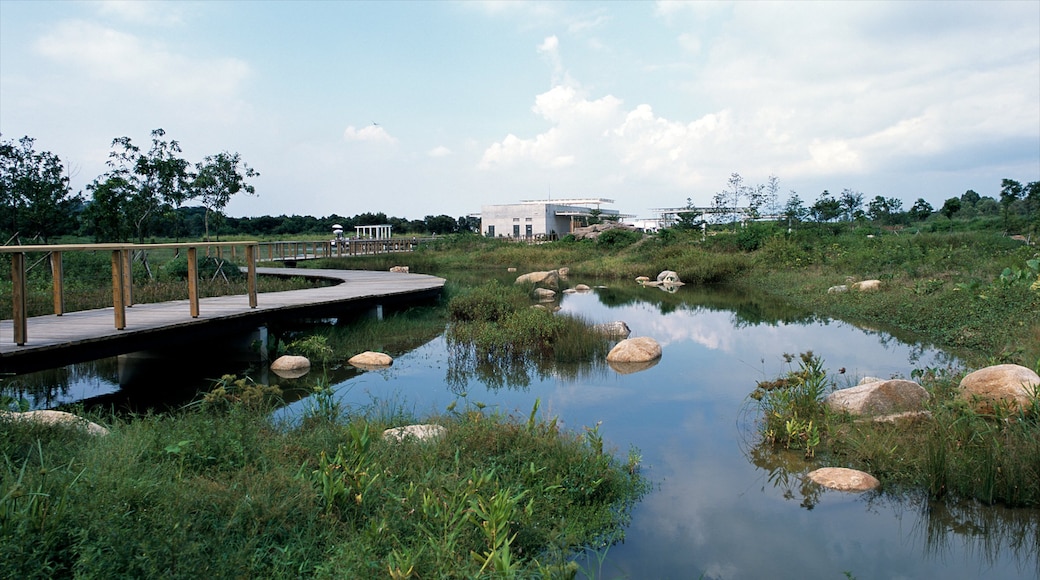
[1010, 387]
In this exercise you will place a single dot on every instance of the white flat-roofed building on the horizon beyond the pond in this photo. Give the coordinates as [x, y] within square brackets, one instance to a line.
[540, 219]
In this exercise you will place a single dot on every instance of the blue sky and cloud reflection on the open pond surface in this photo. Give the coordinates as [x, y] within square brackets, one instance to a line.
[713, 511]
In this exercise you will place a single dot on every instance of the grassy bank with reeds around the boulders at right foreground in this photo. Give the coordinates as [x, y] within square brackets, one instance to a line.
[954, 453]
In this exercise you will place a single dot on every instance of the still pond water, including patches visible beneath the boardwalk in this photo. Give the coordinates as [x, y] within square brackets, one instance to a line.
[720, 509]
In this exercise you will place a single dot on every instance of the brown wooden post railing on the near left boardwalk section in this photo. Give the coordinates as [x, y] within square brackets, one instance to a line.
[122, 279]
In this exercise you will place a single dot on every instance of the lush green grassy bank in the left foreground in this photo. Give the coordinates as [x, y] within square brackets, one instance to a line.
[221, 491]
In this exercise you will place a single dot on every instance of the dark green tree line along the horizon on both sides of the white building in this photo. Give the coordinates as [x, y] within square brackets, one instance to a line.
[157, 194]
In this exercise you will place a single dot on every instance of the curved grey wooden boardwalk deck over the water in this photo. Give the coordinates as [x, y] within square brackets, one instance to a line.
[55, 340]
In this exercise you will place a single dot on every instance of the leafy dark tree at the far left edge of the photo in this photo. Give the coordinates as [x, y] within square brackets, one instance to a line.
[36, 199]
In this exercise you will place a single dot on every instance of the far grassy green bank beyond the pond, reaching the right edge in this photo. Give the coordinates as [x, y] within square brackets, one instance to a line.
[973, 293]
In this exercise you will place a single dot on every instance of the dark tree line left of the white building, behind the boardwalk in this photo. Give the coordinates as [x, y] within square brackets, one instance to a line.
[155, 193]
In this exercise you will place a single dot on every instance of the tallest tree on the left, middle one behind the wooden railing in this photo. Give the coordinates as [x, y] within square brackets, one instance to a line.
[160, 180]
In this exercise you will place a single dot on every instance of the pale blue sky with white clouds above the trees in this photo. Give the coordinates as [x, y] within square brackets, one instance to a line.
[428, 109]
